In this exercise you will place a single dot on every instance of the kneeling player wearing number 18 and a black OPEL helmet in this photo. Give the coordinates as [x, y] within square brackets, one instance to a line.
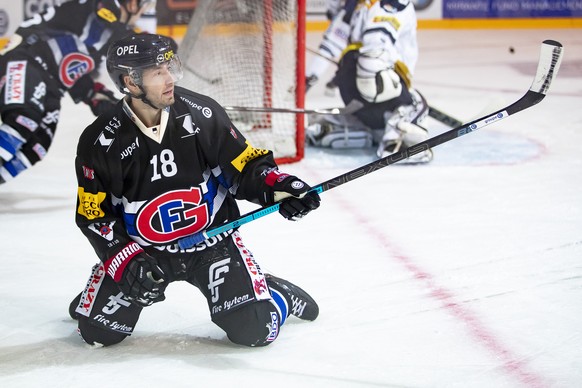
[166, 163]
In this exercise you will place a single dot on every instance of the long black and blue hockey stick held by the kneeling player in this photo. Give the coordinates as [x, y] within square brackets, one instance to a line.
[548, 65]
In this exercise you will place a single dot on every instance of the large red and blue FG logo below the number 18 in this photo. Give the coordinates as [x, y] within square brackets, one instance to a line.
[173, 215]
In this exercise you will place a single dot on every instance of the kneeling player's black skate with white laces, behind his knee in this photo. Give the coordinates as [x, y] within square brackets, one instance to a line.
[300, 303]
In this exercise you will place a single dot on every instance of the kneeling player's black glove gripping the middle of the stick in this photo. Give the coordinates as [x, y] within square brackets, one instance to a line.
[293, 194]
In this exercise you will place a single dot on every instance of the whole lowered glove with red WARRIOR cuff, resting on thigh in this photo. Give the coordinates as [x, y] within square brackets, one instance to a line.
[138, 277]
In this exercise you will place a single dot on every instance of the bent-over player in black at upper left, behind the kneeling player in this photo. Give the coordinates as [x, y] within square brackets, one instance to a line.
[49, 55]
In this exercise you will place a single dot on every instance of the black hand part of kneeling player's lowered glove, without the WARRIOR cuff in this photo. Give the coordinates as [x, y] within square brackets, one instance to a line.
[141, 280]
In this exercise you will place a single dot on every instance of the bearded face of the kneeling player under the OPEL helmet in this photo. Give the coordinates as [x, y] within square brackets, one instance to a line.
[158, 83]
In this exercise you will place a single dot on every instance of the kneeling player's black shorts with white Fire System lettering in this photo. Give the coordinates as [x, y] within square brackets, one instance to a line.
[226, 273]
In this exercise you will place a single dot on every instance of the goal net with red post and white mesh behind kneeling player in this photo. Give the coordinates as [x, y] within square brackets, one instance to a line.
[251, 54]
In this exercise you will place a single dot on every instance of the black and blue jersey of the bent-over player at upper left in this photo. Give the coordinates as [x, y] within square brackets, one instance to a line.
[70, 40]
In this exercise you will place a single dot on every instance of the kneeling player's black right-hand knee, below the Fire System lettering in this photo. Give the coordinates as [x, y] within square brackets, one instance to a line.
[253, 324]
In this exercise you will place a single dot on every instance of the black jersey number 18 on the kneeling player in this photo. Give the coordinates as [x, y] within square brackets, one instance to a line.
[133, 189]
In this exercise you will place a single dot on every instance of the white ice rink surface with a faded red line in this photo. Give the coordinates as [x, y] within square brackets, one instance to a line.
[466, 272]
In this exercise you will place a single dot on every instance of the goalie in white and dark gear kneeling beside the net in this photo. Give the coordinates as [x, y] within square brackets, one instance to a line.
[376, 70]
